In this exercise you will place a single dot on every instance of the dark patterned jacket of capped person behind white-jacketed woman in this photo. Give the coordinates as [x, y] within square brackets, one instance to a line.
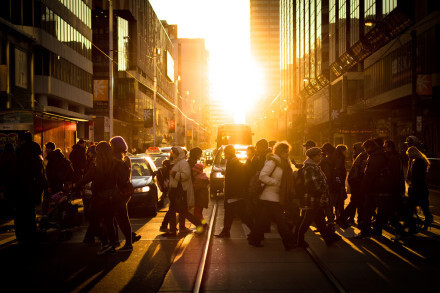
[315, 184]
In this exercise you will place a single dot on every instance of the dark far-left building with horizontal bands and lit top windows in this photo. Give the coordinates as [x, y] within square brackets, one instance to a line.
[46, 70]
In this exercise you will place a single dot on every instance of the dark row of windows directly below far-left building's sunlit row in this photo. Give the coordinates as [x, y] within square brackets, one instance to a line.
[49, 64]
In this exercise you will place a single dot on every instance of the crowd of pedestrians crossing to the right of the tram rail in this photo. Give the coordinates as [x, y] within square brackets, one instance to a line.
[265, 189]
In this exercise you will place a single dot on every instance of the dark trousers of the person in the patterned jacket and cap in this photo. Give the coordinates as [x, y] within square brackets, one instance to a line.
[315, 214]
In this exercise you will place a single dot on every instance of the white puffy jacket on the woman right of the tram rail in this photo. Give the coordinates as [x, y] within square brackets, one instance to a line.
[271, 175]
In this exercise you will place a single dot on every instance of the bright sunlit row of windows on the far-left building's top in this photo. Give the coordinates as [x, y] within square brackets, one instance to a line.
[63, 31]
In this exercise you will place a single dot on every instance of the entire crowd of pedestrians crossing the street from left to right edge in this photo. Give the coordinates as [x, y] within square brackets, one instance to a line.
[263, 189]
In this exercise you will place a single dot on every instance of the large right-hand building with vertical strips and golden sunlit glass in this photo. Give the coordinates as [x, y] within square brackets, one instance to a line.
[375, 75]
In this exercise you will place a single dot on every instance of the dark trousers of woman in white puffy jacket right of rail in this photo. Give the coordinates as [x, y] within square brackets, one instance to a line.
[274, 211]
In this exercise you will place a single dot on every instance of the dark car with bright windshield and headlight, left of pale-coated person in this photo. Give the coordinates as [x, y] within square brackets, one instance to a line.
[147, 197]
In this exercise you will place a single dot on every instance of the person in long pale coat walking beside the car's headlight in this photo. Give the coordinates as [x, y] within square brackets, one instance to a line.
[181, 172]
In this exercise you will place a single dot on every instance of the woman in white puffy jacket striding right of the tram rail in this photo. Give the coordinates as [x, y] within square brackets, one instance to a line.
[277, 165]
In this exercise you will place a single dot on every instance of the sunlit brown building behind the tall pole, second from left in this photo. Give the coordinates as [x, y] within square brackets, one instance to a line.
[142, 55]
